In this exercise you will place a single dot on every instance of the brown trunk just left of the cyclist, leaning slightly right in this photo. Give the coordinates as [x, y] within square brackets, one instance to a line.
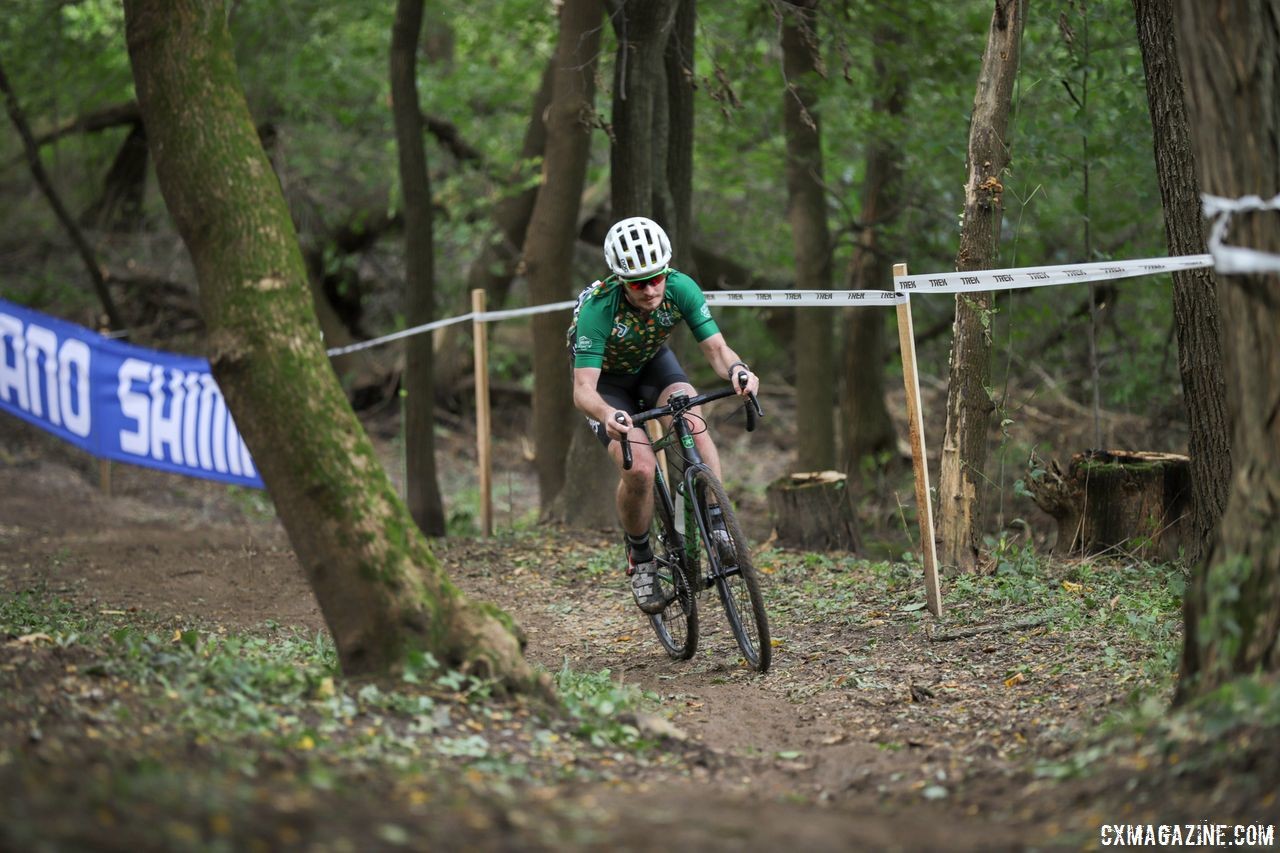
[554, 231]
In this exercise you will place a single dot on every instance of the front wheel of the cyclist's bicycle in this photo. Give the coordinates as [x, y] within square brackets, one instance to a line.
[730, 567]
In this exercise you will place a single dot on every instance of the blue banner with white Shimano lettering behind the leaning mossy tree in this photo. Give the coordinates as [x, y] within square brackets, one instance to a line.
[120, 402]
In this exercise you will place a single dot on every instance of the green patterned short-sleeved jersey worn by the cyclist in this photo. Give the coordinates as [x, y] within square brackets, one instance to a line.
[611, 334]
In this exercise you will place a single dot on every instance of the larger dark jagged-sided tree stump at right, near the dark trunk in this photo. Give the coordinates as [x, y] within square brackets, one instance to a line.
[1133, 501]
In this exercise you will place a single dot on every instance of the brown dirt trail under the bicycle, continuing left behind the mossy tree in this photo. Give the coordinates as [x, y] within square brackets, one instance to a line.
[863, 735]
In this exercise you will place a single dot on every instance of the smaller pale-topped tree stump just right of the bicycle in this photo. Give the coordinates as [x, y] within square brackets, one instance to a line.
[815, 512]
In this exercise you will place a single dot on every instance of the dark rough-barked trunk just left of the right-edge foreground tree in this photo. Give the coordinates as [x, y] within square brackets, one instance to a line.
[1200, 335]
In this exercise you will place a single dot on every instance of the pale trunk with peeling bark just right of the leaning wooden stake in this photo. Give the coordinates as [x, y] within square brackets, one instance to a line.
[970, 405]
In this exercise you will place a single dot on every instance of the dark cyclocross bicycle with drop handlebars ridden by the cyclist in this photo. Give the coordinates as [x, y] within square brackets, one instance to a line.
[711, 531]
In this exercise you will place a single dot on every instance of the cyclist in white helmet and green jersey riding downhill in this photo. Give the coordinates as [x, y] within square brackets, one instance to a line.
[618, 343]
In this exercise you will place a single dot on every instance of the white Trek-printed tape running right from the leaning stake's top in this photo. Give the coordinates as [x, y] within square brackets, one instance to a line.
[1008, 280]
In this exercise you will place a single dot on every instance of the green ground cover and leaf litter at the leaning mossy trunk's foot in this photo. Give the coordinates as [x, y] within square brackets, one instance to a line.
[237, 696]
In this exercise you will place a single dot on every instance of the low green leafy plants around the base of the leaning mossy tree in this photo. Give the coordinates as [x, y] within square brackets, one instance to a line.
[272, 687]
